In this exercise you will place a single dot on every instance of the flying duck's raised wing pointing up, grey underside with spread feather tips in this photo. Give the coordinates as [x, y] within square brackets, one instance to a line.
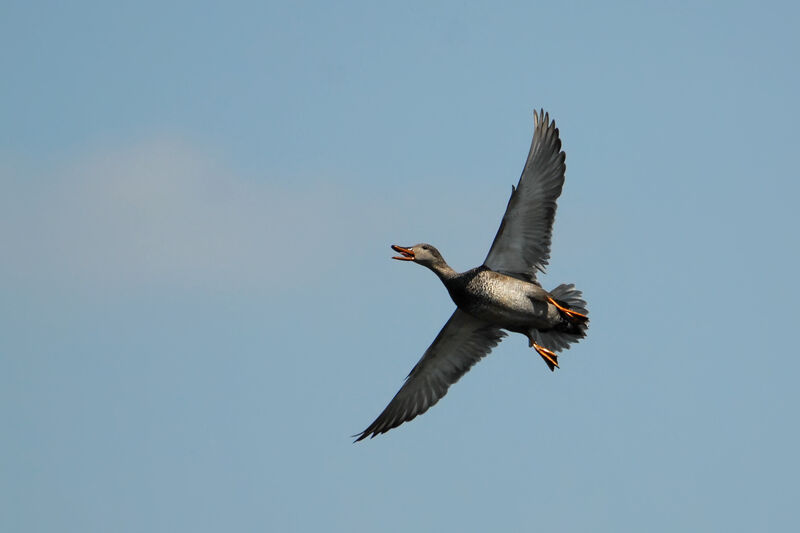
[522, 244]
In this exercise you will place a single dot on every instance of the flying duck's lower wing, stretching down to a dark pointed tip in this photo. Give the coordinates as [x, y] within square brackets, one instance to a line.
[463, 341]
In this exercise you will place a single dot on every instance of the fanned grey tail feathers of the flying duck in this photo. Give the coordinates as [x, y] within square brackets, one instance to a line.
[576, 320]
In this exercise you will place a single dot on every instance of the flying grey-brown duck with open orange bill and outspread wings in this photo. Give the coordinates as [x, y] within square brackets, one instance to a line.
[501, 295]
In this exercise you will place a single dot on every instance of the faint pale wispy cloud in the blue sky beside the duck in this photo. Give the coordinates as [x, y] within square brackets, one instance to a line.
[162, 211]
